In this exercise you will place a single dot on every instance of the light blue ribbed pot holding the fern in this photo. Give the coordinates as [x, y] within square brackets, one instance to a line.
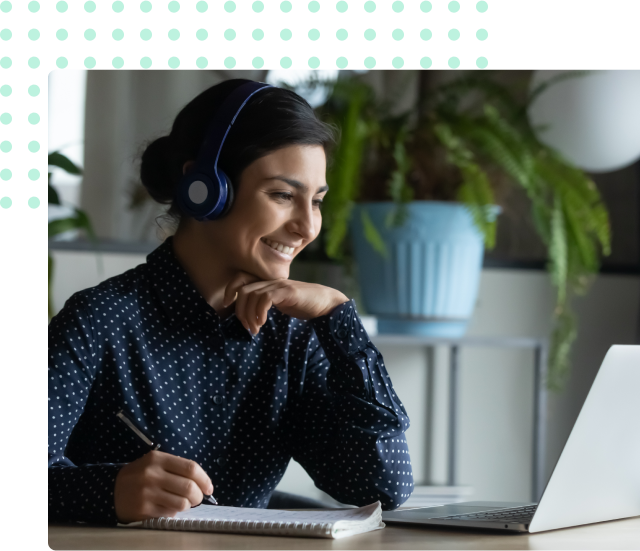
[428, 285]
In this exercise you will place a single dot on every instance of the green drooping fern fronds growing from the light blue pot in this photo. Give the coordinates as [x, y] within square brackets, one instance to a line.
[566, 207]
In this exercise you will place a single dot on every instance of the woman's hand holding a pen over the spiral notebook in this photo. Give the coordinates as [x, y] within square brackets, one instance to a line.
[159, 485]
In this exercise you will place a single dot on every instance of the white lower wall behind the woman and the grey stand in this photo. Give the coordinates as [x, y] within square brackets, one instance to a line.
[496, 385]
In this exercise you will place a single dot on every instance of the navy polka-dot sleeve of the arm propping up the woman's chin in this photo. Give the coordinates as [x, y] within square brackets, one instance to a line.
[349, 425]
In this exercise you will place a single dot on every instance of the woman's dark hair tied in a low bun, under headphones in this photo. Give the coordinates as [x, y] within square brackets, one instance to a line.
[271, 119]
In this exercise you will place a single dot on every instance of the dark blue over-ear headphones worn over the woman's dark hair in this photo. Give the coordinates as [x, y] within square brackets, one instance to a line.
[206, 193]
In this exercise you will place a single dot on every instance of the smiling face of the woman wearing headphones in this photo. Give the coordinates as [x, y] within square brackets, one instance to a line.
[277, 204]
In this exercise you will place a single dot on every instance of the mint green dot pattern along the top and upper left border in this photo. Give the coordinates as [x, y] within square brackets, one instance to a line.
[280, 19]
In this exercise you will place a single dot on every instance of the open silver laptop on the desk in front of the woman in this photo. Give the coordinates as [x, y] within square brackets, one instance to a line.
[596, 478]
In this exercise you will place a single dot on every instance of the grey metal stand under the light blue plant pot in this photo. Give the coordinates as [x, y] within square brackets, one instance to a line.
[540, 349]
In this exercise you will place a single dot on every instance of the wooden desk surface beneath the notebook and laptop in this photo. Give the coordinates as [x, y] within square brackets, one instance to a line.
[621, 535]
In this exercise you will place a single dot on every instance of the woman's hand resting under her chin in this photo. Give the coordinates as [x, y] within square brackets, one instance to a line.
[295, 298]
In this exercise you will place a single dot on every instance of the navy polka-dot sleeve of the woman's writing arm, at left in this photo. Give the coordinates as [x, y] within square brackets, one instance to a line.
[75, 492]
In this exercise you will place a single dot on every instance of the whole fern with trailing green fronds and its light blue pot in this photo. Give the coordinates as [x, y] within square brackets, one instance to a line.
[440, 163]
